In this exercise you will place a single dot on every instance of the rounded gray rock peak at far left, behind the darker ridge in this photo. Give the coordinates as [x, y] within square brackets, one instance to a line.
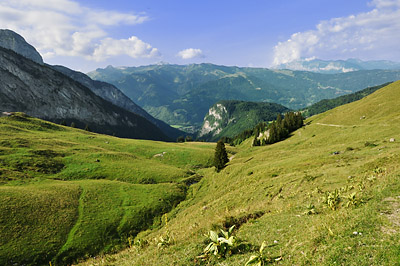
[13, 41]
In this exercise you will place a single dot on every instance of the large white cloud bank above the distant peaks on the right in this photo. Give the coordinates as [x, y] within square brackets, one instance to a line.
[372, 35]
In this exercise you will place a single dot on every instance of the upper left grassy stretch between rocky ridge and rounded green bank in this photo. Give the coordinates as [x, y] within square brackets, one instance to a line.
[31, 148]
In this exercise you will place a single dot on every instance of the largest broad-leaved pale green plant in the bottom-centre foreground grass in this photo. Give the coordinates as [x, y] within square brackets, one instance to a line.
[221, 244]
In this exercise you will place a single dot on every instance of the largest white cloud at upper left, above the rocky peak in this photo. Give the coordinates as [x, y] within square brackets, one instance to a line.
[66, 28]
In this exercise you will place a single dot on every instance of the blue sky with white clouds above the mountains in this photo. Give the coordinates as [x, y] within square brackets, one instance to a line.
[90, 34]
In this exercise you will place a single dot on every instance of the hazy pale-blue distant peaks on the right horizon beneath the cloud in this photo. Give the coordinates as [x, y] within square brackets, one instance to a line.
[337, 66]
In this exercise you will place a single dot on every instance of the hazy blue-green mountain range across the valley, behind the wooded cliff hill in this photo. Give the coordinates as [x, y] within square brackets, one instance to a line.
[182, 95]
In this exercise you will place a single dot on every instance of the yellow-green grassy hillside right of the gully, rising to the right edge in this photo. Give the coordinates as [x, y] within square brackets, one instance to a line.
[280, 180]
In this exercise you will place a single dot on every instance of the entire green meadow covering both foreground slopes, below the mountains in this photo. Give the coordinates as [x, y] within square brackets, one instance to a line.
[328, 195]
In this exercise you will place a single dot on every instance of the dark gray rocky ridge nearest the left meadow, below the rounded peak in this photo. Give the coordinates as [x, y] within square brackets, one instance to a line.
[43, 92]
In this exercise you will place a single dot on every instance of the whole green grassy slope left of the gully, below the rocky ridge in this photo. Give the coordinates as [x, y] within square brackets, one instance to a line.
[68, 193]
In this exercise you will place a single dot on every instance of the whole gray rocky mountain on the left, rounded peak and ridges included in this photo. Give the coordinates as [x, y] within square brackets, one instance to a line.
[58, 94]
